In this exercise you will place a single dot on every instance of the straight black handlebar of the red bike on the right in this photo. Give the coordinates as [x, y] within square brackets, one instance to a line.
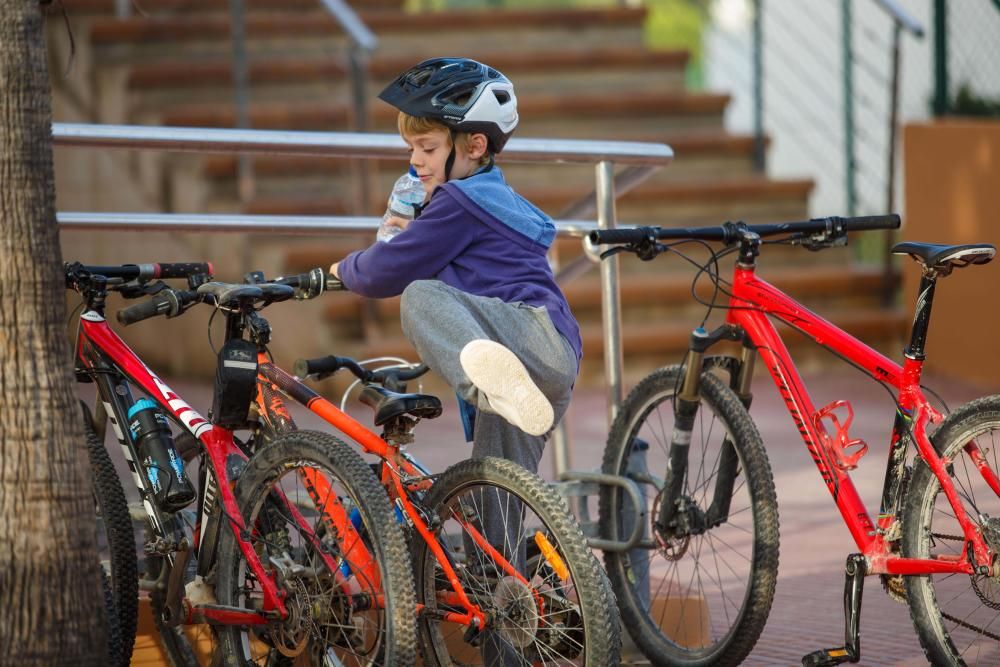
[729, 232]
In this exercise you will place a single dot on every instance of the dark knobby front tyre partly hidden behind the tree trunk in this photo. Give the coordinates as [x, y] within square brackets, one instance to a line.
[115, 540]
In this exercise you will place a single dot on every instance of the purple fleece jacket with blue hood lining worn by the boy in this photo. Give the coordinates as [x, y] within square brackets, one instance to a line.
[458, 240]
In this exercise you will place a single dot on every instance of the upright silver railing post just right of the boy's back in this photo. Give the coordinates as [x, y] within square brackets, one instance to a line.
[610, 303]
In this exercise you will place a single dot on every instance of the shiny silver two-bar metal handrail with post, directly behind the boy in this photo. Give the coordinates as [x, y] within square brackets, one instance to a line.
[642, 159]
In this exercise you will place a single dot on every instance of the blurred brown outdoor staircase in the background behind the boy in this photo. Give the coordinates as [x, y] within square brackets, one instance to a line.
[580, 74]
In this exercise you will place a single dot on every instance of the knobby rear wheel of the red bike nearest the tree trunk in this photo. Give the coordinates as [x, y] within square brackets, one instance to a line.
[337, 617]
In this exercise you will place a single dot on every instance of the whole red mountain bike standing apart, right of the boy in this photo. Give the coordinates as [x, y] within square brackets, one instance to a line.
[705, 545]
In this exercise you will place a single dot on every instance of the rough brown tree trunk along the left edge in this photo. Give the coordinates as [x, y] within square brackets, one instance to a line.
[51, 604]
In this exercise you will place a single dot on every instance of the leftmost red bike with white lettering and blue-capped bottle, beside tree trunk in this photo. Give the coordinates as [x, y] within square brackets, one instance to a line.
[275, 581]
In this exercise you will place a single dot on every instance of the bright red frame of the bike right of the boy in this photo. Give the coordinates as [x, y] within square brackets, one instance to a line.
[751, 302]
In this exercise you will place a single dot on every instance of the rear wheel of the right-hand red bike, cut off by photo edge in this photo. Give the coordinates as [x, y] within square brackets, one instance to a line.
[957, 616]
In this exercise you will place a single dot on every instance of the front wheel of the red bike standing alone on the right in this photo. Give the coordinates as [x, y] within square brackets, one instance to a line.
[698, 591]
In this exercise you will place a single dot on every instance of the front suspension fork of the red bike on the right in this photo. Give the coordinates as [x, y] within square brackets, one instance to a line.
[685, 411]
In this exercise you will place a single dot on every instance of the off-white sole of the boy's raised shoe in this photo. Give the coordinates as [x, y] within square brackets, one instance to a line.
[509, 389]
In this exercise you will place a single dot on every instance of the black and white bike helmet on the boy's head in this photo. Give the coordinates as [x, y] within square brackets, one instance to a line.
[465, 95]
